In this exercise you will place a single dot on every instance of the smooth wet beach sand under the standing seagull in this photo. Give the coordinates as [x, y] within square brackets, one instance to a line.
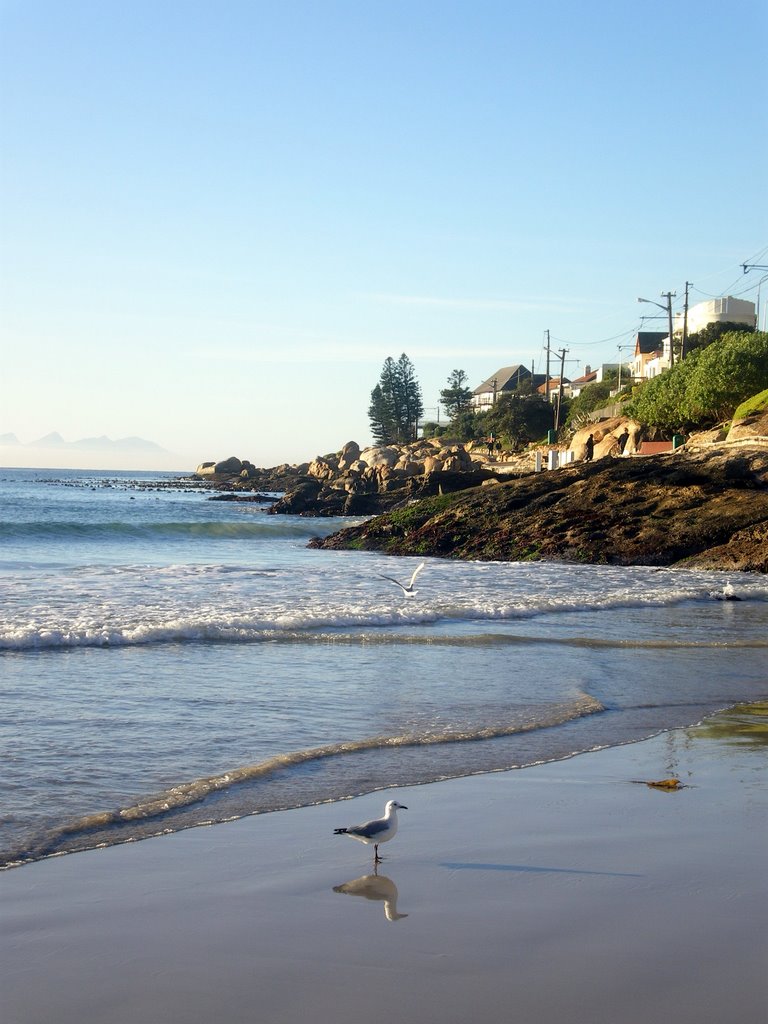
[560, 893]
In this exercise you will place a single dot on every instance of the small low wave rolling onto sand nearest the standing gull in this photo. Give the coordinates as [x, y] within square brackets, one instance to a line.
[157, 812]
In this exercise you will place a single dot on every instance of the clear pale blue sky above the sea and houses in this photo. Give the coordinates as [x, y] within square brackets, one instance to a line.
[220, 220]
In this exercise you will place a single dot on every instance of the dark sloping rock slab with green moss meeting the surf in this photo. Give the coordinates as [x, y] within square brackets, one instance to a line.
[703, 507]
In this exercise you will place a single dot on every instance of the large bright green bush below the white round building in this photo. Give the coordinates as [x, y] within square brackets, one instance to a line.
[708, 387]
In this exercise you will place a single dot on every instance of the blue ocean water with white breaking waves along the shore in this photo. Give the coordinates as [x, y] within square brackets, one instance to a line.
[168, 661]
